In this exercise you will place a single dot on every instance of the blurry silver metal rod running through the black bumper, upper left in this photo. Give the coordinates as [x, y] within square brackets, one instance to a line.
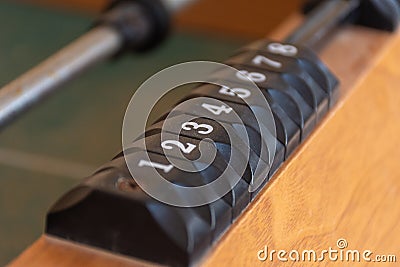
[95, 46]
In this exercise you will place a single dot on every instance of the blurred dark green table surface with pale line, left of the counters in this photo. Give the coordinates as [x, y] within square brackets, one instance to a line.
[80, 124]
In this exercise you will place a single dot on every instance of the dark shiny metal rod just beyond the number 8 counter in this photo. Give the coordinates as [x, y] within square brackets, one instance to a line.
[322, 21]
